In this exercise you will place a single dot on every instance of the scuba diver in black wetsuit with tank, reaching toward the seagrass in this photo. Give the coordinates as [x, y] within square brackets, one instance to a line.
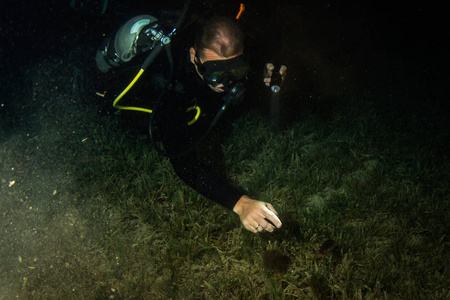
[210, 78]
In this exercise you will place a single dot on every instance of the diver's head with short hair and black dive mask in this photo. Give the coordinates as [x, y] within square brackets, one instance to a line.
[217, 54]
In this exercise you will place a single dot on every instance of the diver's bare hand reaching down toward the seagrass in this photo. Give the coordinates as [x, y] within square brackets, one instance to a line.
[255, 215]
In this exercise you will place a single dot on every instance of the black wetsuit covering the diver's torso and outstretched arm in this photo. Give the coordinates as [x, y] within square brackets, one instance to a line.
[170, 127]
